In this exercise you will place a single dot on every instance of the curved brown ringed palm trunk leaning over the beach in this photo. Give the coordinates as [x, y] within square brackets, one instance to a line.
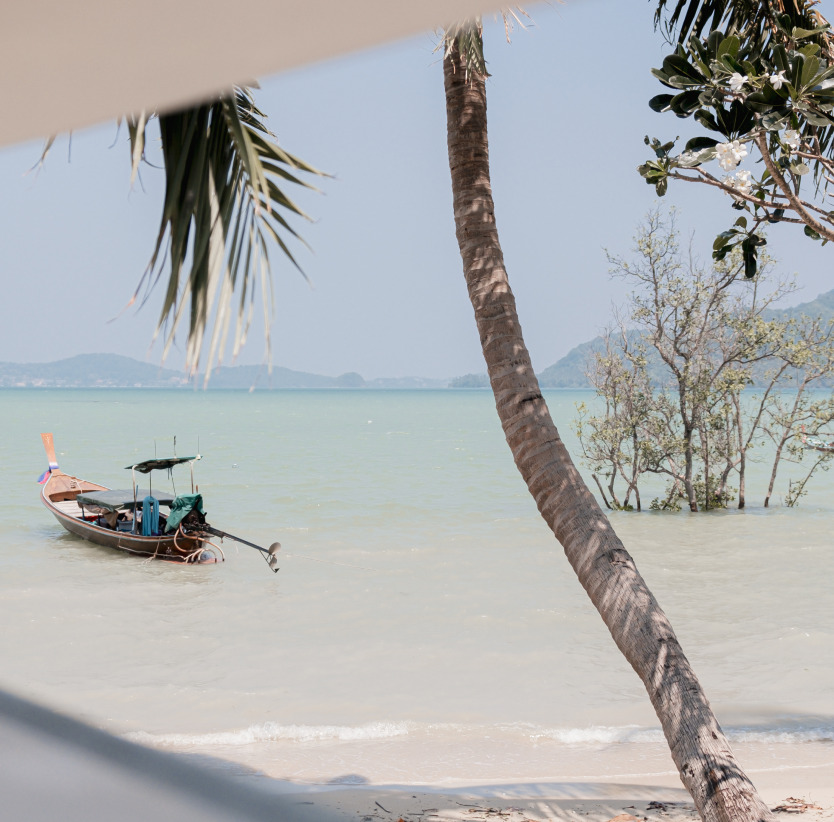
[641, 630]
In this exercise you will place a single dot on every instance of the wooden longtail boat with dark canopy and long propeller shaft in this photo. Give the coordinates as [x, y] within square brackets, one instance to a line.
[133, 521]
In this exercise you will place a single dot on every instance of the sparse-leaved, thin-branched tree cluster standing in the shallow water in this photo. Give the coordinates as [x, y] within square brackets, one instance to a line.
[714, 372]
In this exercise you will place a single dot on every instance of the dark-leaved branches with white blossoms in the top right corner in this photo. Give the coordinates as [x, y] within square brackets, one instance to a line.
[764, 90]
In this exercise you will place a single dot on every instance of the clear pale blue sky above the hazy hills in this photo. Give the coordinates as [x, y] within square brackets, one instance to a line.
[567, 107]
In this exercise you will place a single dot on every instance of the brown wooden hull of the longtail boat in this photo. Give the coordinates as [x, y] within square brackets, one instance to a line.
[59, 496]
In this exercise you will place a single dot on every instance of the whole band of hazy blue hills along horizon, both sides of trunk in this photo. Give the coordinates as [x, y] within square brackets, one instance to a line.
[115, 371]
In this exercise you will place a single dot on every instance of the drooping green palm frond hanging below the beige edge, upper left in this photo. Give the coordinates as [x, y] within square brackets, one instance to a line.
[224, 205]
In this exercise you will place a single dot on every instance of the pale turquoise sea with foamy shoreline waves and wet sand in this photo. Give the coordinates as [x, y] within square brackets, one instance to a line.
[424, 627]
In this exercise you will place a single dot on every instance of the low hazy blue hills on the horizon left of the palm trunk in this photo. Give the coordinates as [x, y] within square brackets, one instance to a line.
[115, 371]
